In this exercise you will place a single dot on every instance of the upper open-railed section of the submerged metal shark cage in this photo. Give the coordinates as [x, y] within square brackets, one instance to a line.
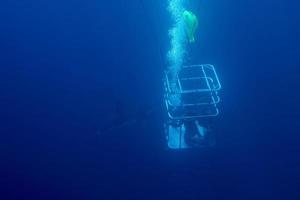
[205, 96]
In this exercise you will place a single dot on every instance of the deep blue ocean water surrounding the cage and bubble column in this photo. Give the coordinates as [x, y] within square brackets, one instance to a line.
[82, 111]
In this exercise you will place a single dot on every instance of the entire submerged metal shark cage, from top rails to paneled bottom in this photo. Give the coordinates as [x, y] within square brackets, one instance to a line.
[191, 99]
